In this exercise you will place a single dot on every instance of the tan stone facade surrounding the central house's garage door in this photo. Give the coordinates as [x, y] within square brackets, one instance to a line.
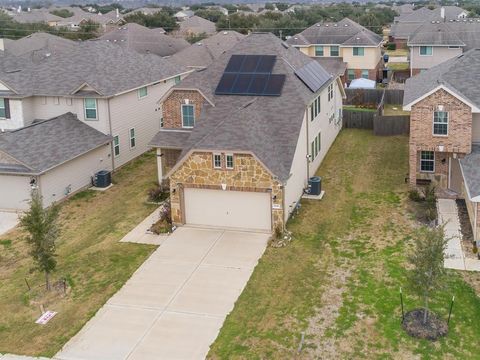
[248, 175]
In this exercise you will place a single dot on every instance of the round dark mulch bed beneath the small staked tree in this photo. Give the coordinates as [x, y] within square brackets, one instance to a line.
[433, 329]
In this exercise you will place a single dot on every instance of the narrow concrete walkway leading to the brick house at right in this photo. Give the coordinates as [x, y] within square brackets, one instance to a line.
[454, 256]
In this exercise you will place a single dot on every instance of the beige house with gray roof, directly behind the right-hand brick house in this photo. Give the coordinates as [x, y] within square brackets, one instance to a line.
[436, 42]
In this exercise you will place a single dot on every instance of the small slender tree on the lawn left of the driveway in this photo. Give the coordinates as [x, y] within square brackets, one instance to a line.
[43, 231]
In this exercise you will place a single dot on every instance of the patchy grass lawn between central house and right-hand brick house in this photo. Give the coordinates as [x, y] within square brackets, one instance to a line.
[339, 279]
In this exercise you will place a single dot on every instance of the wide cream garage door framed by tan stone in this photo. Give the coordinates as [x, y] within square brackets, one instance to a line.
[231, 209]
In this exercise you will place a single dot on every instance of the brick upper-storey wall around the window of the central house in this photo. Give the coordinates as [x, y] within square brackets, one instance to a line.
[172, 107]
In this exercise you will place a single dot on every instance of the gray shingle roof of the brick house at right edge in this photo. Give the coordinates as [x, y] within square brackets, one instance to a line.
[459, 74]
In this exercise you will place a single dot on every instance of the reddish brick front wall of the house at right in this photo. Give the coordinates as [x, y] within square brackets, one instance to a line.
[458, 141]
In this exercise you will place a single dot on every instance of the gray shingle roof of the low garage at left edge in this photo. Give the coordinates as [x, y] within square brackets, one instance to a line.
[48, 143]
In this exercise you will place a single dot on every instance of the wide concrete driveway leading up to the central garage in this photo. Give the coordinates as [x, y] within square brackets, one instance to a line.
[174, 305]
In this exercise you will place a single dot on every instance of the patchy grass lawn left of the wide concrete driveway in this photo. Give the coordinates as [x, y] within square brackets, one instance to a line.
[90, 257]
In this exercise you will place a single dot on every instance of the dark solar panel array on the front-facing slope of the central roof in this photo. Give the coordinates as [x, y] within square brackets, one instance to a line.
[250, 75]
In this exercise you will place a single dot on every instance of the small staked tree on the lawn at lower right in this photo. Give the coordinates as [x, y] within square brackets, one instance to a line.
[427, 259]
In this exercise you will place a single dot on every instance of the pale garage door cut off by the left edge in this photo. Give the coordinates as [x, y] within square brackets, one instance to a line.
[14, 192]
